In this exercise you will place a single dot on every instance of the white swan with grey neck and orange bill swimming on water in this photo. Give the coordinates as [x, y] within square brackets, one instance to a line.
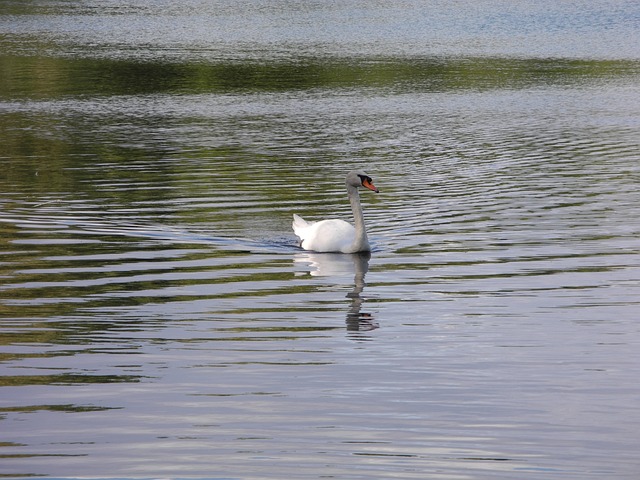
[338, 235]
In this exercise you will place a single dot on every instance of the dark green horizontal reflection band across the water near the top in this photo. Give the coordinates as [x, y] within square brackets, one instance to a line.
[47, 77]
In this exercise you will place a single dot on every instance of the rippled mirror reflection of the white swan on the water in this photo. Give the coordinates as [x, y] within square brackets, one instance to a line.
[340, 265]
